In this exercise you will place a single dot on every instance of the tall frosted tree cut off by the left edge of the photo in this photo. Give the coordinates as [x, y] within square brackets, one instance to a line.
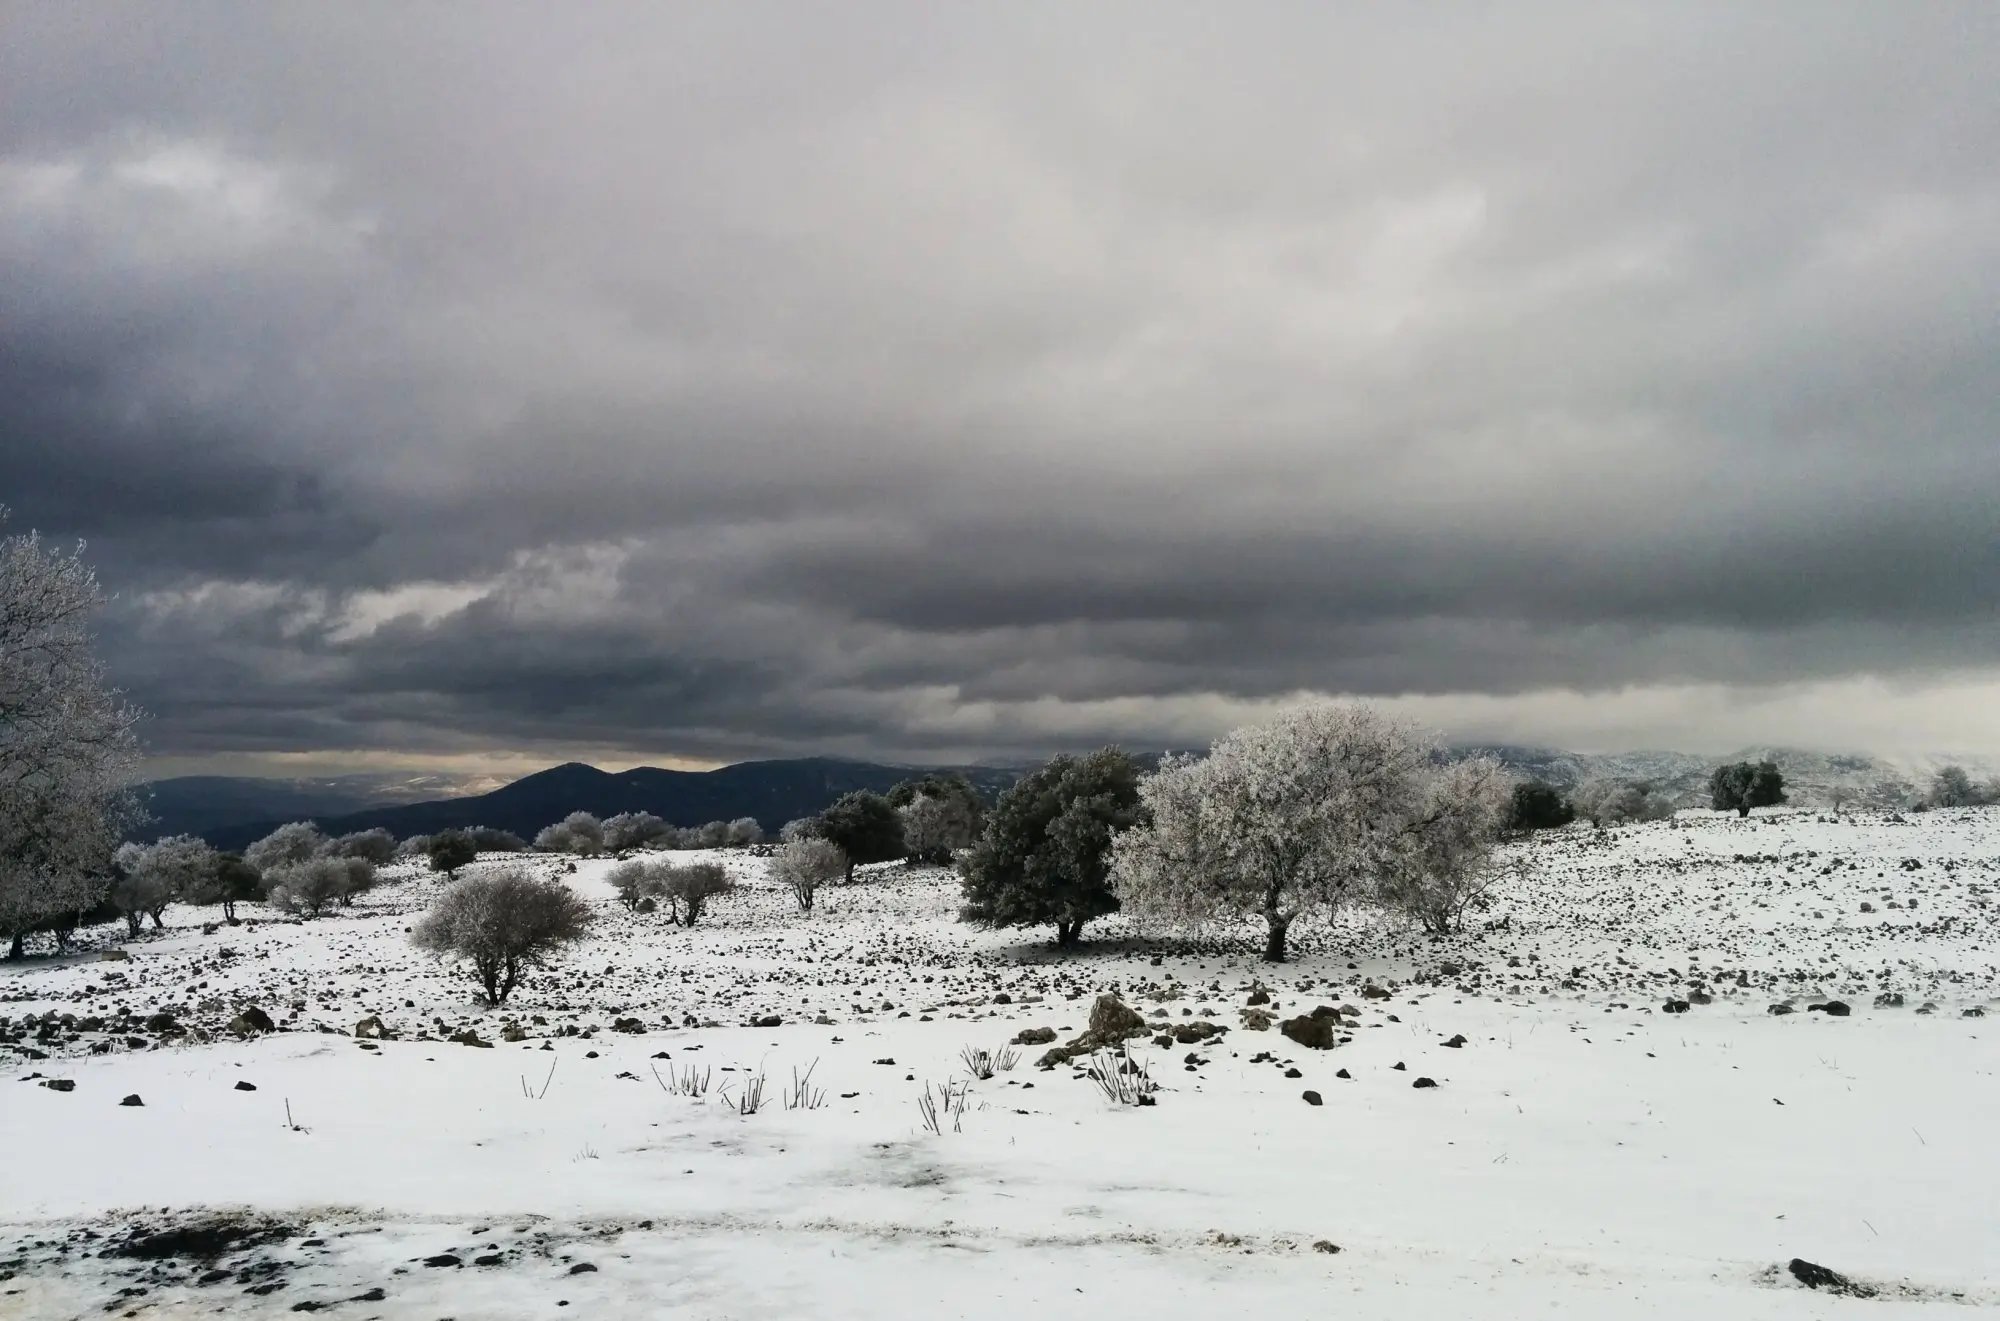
[67, 744]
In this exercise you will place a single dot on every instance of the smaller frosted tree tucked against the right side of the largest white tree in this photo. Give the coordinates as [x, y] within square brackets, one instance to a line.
[1445, 862]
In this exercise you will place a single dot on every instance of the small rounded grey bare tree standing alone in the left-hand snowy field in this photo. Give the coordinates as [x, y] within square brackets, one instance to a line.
[503, 924]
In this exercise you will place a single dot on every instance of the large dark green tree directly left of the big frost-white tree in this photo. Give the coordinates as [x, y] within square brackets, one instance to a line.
[1045, 856]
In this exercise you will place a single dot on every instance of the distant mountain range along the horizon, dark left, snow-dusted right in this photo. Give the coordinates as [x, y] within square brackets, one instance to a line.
[235, 812]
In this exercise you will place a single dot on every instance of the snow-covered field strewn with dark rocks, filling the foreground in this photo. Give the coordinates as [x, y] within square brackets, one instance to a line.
[1583, 1152]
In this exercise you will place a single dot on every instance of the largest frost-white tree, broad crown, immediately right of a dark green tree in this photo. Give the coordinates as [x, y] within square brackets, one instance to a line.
[1305, 812]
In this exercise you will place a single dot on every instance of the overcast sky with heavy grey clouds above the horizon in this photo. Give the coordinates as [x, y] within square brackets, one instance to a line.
[493, 385]
